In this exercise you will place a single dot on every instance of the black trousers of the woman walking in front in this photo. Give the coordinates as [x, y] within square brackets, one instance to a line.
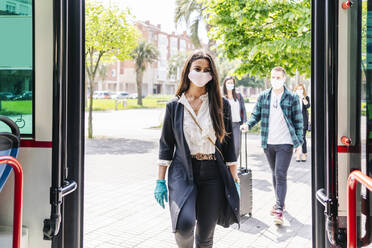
[202, 208]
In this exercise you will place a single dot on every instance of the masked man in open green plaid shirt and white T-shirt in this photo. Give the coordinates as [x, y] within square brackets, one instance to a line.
[280, 114]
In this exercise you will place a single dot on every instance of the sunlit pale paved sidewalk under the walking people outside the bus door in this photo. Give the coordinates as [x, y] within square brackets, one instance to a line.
[120, 210]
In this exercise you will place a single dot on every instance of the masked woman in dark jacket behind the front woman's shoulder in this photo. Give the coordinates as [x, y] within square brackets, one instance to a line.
[238, 112]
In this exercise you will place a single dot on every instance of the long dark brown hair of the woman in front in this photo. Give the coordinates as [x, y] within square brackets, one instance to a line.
[212, 87]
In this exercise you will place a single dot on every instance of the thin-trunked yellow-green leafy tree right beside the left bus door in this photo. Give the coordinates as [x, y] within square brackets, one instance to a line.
[108, 34]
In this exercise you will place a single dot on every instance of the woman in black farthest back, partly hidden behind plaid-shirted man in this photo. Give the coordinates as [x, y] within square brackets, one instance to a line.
[305, 104]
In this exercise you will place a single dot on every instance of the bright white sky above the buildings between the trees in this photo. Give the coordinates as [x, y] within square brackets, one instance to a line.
[156, 11]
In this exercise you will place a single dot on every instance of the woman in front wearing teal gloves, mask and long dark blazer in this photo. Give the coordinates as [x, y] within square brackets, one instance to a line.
[196, 147]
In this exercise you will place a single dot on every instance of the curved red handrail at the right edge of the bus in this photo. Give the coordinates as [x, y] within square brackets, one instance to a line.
[354, 178]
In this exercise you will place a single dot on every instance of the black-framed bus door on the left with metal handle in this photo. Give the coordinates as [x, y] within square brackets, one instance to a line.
[64, 227]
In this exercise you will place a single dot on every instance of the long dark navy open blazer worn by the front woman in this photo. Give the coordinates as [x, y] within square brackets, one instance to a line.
[173, 146]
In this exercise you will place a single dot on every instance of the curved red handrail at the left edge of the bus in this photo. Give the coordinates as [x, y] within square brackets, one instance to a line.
[18, 192]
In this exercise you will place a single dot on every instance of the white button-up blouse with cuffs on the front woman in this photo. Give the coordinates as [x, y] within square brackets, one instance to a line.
[196, 139]
